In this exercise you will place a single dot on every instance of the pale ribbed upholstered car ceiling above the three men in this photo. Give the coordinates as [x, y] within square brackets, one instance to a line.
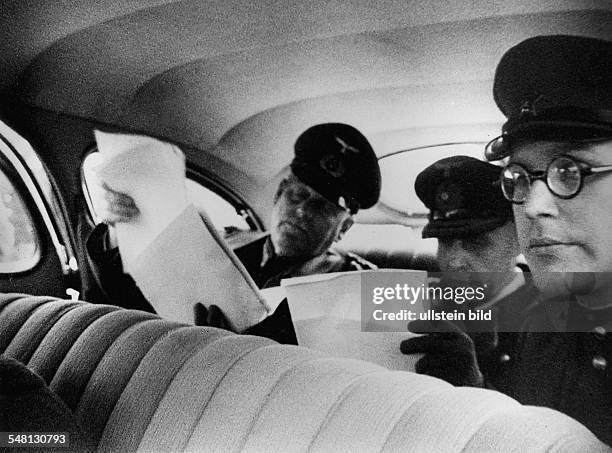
[239, 80]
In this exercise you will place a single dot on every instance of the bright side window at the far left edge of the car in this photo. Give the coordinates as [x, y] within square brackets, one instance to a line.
[19, 240]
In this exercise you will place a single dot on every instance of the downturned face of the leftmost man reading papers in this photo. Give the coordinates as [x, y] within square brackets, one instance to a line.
[304, 223]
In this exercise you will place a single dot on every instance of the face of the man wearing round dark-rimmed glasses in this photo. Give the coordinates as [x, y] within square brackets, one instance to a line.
[559, 235]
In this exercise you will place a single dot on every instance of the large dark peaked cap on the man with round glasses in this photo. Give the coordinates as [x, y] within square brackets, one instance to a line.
[554, 88]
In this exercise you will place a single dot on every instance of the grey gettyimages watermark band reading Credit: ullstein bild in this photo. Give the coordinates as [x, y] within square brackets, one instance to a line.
[480, 302]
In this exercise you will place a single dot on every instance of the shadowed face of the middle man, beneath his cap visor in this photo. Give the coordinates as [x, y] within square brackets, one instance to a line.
[492, 252]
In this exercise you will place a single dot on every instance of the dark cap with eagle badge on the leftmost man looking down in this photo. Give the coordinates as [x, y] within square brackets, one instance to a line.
[337, 161]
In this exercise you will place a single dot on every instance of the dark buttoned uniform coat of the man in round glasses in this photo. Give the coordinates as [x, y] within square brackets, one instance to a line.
[543, 365]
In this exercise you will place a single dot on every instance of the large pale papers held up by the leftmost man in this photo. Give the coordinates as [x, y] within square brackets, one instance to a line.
[172, 251]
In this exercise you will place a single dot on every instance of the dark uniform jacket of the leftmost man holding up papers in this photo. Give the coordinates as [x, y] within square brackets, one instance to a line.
[266, 269]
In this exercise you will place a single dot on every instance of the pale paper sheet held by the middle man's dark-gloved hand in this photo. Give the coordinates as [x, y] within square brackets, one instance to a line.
[326, 312]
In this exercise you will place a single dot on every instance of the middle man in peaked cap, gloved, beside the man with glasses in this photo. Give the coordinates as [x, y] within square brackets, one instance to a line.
[476, 238]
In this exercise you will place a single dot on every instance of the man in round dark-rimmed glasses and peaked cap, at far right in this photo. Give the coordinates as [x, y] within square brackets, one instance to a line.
[556, 92]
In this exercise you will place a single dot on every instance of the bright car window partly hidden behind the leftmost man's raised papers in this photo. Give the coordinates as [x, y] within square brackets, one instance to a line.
[221, 212]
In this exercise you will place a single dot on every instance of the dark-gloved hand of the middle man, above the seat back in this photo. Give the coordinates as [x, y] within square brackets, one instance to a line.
[450, 353]
